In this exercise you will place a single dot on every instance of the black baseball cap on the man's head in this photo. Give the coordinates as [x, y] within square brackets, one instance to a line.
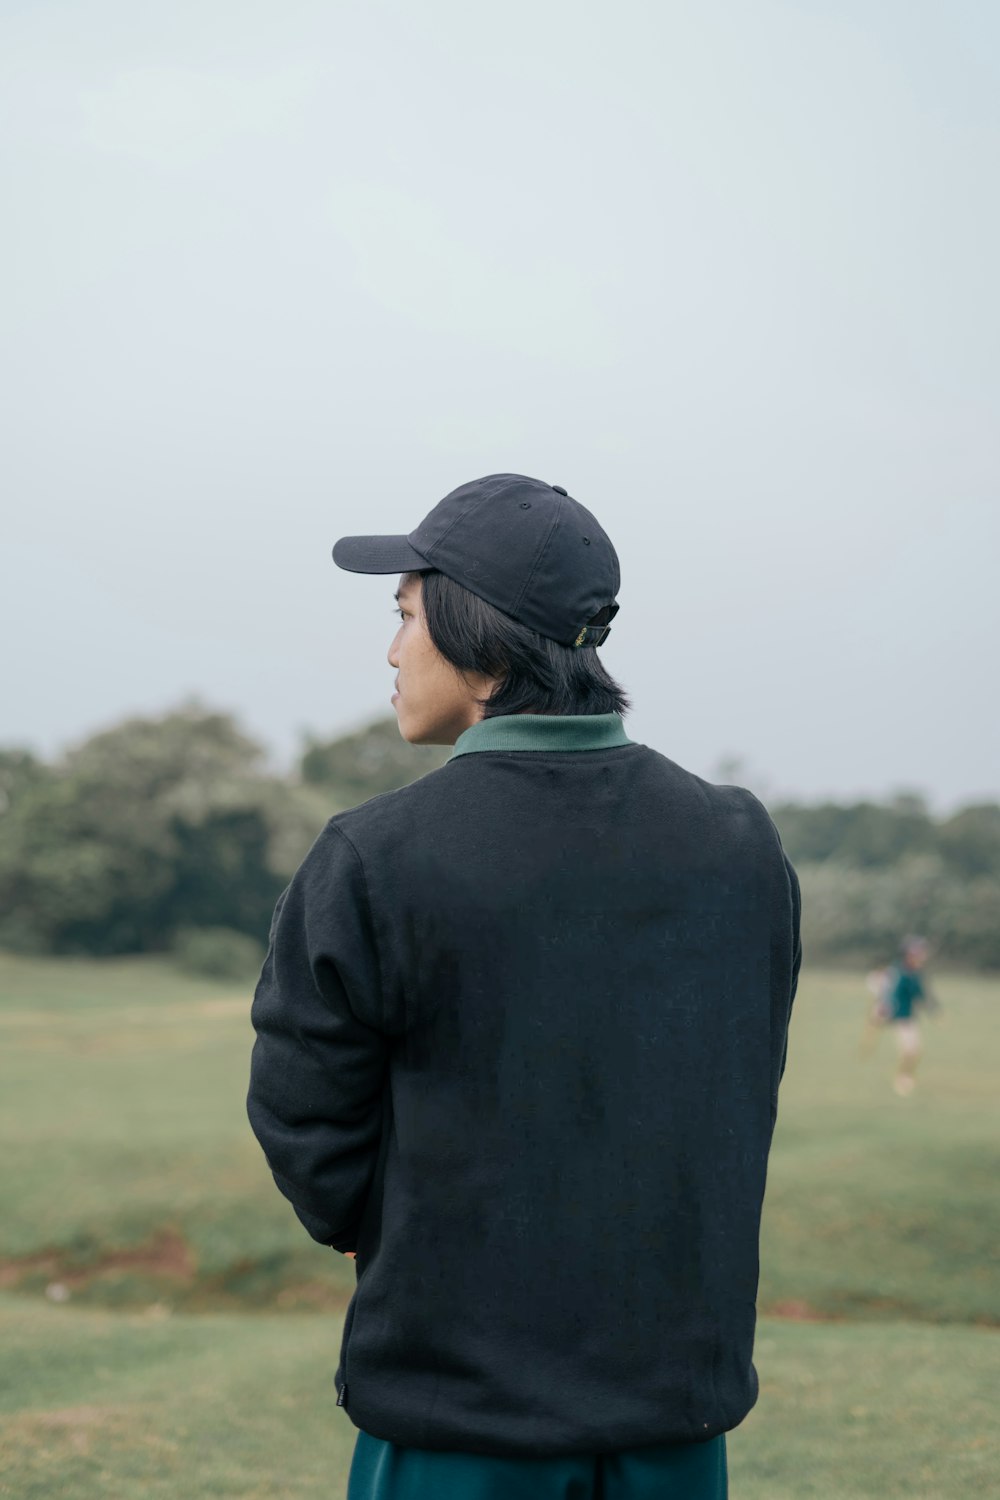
[524, 547]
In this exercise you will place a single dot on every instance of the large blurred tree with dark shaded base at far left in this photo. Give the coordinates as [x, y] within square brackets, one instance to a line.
[143, 829]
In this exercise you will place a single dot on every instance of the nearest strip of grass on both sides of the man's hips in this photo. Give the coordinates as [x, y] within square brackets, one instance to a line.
[112, 1406]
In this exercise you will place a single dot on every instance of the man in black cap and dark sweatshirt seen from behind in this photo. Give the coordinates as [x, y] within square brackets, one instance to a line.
[521, 1031]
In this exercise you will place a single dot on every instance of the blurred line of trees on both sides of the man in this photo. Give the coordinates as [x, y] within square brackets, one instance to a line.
[172, 833]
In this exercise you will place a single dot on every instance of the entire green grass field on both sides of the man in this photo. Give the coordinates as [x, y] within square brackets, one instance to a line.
[167, 1328]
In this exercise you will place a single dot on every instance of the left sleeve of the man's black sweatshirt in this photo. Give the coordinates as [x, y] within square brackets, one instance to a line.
[320, 1058]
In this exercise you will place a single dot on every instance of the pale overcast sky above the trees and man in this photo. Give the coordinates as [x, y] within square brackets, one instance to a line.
[728, 272]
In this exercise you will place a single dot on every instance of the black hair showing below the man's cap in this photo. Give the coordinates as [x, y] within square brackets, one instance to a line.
[537, 676]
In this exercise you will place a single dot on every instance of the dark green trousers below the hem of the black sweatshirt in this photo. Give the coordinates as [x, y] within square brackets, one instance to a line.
[687, 1472]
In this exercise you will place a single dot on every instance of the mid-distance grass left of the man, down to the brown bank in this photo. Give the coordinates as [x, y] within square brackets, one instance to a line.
[124, 1129]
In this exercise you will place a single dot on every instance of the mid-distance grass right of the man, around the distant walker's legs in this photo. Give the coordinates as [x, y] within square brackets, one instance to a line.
[878, 1205]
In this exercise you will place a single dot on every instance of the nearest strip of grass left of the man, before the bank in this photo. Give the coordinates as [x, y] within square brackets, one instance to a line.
[112, 1406]
